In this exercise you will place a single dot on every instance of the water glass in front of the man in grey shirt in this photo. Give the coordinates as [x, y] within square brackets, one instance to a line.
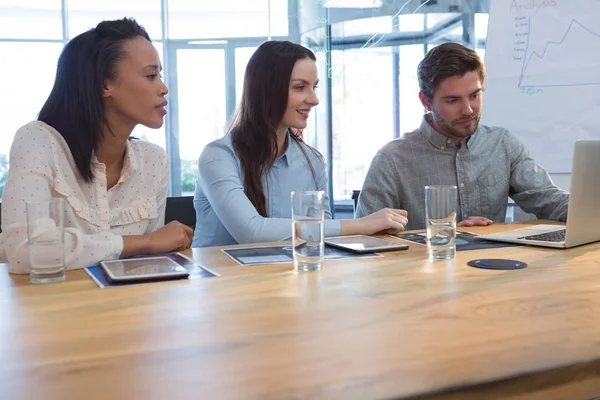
[440, 221]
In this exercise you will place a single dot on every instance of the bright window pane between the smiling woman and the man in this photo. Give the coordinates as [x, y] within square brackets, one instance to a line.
[362, 113]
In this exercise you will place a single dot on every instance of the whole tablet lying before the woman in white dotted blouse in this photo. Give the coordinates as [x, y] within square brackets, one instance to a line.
[142, 269]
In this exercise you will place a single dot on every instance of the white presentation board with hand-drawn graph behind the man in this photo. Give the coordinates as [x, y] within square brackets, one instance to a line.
[543, 75]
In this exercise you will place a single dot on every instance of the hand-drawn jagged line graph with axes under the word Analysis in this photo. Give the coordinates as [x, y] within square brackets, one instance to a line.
[570, 61]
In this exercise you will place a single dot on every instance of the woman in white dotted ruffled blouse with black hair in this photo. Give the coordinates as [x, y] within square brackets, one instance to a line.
[79, 149]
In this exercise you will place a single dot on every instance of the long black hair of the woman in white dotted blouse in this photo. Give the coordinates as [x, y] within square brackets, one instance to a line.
[75, 106]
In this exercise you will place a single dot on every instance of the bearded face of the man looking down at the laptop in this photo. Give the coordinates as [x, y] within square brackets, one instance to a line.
[456, 106]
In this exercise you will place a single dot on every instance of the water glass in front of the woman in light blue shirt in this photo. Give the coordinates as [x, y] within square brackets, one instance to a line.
[308, 215]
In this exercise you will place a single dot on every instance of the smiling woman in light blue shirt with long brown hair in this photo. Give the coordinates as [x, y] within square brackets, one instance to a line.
[245, 179]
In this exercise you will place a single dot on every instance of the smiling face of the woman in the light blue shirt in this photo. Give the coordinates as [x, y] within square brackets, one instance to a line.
[301, 96]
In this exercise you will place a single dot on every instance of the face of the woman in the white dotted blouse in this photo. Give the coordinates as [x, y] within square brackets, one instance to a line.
[137, 95]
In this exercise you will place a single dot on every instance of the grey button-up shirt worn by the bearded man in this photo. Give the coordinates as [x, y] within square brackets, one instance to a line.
[488, 167]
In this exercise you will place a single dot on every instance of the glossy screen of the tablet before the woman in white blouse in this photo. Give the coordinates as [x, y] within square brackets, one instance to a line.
[151, 266]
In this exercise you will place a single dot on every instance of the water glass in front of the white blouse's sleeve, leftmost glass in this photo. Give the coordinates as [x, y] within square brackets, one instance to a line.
[45, 234]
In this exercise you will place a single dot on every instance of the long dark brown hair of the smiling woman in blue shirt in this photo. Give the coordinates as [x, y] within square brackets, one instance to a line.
[263, 104]
